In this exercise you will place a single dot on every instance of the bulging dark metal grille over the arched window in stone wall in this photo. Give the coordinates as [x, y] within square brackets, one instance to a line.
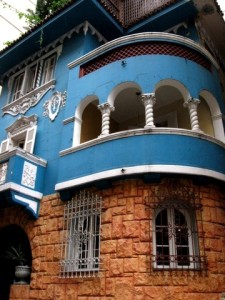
[177, 230]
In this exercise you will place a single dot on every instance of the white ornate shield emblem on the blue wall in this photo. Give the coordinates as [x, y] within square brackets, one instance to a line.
[54, 104]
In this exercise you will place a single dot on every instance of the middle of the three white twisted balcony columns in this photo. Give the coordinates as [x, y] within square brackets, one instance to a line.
[149, 100]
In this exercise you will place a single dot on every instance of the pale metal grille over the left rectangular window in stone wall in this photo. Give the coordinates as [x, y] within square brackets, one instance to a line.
[81, 236]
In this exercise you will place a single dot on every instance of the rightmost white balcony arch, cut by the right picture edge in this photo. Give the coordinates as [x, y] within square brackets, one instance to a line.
[216, 115]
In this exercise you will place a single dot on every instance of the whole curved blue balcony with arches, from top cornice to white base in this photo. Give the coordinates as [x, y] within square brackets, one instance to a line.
[162, 111]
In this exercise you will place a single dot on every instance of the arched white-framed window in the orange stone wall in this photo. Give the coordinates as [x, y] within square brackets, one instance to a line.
[175, 238]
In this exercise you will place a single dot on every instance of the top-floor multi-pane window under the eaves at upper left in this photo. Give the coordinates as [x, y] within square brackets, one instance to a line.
[33, 76]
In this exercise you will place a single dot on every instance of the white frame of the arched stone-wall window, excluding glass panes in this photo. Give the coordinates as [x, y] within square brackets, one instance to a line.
[192, 239]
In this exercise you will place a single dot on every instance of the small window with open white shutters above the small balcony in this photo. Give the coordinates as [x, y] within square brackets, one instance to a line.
[21, 134]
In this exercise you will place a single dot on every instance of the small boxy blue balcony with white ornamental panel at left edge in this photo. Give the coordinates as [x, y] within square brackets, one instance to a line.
[21, 180]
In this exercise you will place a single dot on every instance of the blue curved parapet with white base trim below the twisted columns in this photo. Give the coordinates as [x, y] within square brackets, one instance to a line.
[142, 152]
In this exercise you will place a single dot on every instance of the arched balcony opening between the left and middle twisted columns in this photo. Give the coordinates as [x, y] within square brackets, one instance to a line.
[129, 111]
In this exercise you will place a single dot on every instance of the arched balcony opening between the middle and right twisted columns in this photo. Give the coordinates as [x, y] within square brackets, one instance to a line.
[169, 110]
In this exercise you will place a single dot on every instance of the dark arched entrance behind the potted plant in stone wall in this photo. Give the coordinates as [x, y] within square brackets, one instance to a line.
[11, 236]
